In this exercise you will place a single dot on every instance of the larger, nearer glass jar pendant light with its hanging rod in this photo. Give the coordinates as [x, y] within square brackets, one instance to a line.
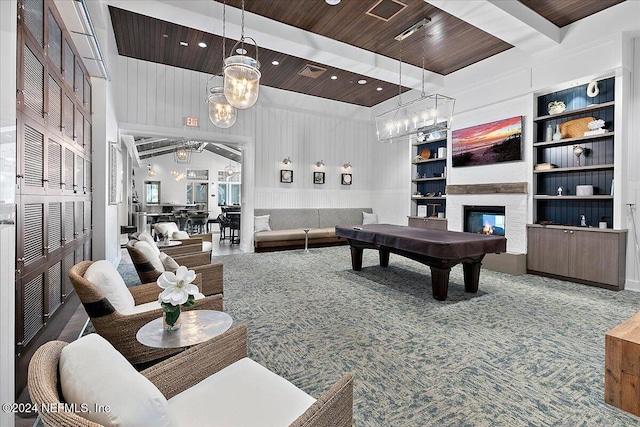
[242, 75]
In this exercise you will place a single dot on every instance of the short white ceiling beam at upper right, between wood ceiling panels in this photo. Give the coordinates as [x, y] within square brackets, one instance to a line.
[508, 20]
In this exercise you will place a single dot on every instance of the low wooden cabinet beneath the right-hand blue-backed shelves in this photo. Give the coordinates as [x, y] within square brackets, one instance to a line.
[585, 255]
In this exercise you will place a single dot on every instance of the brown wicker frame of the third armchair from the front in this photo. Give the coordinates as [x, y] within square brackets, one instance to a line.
[200, 262]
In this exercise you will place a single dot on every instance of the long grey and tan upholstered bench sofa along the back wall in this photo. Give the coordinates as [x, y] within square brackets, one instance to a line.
[278, 229]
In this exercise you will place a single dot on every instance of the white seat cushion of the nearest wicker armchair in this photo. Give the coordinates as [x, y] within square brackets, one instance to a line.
[244, 394]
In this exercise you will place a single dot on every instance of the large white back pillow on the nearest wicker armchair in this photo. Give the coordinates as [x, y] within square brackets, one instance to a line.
[93, 374]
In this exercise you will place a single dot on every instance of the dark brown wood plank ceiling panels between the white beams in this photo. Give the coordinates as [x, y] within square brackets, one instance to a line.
[450, 43]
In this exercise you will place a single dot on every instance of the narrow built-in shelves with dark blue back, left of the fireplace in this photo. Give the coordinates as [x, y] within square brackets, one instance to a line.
[429, 174]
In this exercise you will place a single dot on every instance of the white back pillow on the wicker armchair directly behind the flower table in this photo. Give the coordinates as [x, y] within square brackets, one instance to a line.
[107, 279]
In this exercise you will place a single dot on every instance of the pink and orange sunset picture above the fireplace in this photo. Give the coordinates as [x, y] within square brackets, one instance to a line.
[489, 143]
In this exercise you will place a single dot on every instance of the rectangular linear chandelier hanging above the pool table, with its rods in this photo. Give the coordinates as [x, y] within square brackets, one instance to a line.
[427, 114]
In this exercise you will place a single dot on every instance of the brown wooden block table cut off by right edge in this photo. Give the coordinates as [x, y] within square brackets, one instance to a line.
[622, 365]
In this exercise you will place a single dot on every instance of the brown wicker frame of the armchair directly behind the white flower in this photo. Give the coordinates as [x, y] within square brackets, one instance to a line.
[120, 329]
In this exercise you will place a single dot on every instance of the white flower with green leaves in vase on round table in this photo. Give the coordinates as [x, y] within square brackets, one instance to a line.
[178, 292]
